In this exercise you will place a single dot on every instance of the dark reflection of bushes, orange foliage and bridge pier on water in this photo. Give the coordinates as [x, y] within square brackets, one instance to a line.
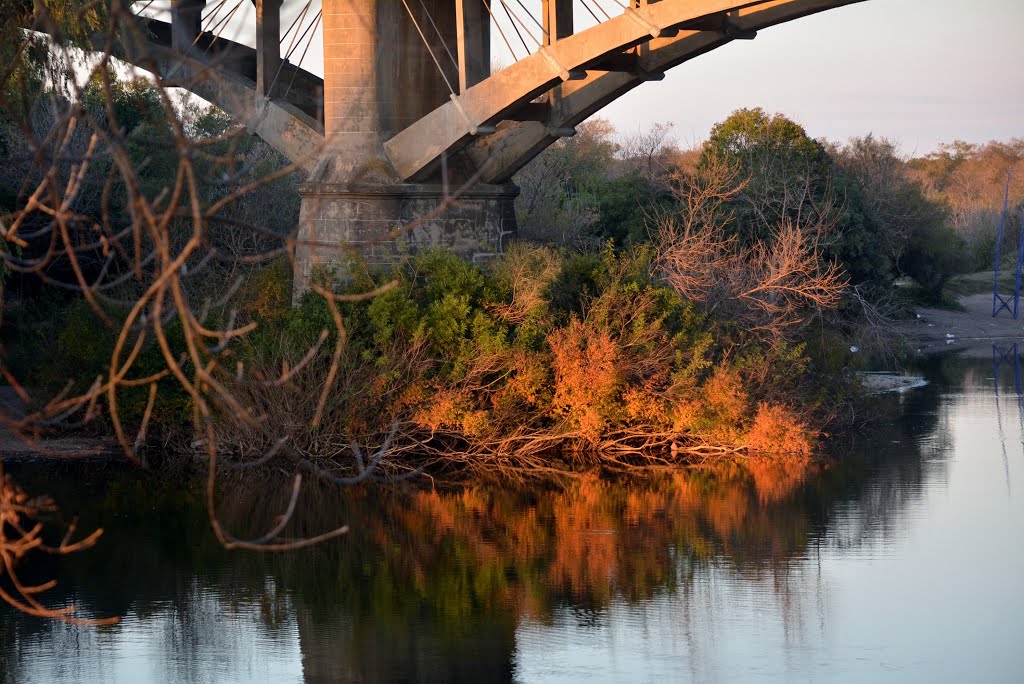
[433, 586]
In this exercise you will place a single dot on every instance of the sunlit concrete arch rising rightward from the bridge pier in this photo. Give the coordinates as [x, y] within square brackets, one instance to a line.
[674, 30]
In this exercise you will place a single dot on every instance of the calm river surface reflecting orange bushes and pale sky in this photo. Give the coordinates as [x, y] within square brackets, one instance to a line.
[903, 561]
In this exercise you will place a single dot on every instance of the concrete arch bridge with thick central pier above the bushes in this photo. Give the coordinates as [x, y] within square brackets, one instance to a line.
[411, 124]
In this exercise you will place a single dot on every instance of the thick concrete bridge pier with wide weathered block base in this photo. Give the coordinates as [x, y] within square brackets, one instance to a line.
[380, 77]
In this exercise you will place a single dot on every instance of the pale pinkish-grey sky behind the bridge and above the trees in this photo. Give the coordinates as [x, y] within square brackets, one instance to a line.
[922, 72]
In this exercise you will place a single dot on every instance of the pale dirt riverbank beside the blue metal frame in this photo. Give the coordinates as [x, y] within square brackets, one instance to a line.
[972, 331]
